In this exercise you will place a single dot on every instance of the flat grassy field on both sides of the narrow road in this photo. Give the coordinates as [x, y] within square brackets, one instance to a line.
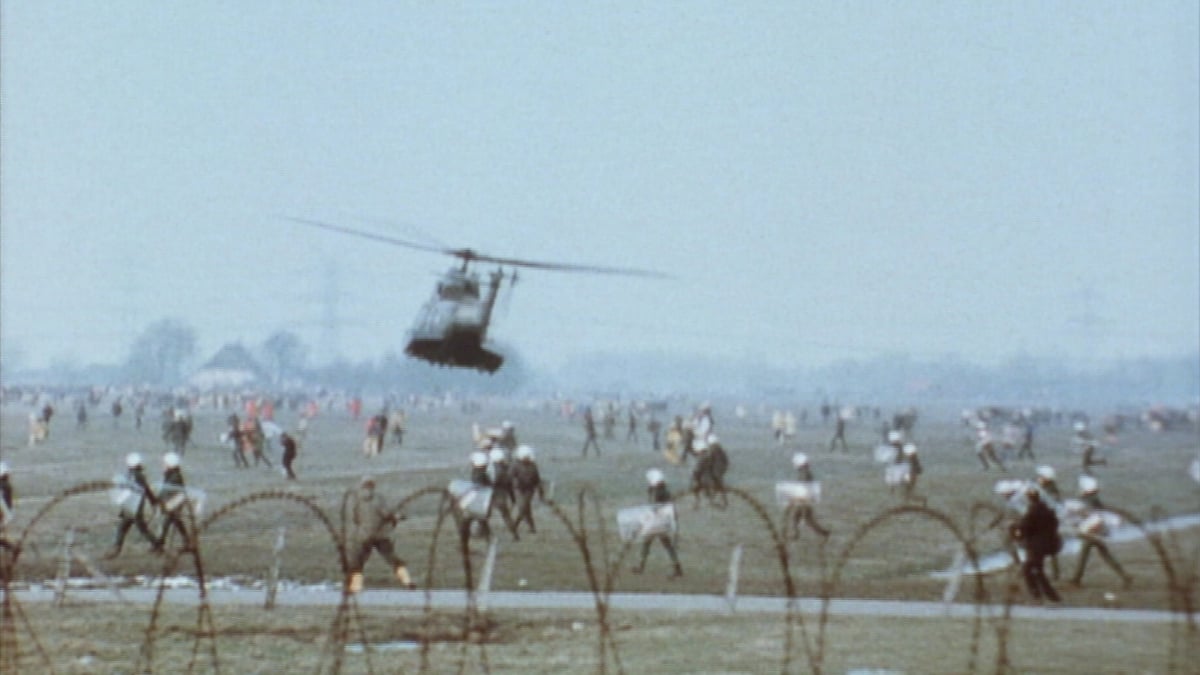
[1145, 476]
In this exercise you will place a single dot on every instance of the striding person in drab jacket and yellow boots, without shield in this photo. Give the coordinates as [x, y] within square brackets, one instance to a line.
[371, 525]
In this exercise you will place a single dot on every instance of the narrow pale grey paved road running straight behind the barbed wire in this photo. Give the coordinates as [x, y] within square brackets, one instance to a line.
[635, 602]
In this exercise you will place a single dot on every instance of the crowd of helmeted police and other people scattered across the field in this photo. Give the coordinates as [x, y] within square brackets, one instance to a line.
[505, 479]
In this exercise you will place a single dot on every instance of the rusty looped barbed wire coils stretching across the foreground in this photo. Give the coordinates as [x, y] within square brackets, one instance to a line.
[1181, 571]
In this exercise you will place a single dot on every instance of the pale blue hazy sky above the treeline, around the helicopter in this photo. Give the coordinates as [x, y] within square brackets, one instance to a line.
[824, 181]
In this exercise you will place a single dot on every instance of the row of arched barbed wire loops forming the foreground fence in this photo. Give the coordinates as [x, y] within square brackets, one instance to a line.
[602, 564]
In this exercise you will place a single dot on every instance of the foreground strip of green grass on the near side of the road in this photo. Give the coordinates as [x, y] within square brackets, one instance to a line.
[253, 641]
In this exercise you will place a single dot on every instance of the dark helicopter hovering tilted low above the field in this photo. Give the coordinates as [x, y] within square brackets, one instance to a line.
[452, 327]
